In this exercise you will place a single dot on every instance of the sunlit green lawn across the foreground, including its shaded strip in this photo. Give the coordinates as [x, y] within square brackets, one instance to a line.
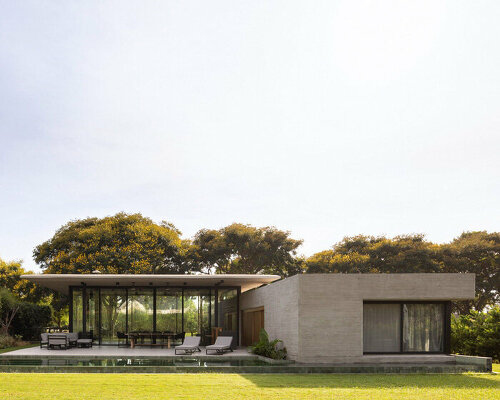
[262, 387]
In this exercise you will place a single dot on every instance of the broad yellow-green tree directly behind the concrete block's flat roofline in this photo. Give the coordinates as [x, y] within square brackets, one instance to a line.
[365, 254]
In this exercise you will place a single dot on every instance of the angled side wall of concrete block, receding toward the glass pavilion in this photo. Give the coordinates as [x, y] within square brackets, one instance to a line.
[281, 311]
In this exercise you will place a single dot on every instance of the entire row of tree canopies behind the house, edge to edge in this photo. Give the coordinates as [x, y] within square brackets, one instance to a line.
[131, 243]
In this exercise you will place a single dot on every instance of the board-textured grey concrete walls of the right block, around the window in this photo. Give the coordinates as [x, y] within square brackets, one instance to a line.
[320, 316]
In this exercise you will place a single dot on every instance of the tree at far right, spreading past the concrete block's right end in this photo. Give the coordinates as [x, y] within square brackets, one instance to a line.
[477, 252]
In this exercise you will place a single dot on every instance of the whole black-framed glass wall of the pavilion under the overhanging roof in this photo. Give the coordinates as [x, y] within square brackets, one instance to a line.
[106, 313]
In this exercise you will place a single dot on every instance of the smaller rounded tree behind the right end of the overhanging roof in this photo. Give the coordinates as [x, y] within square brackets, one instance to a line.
[244, 249]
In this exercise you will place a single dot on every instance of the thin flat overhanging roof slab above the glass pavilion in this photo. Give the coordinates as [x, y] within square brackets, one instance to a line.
[62, 282]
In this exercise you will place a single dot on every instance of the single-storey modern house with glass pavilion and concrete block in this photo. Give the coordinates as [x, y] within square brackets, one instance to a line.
[321, 318]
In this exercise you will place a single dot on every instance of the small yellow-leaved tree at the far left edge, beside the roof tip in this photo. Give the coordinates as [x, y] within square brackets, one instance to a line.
[10, 278]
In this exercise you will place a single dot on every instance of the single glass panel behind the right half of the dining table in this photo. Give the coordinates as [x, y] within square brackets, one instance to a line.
[169, 310]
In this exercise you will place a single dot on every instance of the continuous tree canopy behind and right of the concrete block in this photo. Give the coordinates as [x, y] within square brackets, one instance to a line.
[477, 252]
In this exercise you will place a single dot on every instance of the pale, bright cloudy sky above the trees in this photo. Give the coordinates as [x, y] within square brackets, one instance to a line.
[324, 118]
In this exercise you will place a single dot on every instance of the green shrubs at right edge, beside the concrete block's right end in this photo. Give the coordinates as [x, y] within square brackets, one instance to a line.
[477, 333]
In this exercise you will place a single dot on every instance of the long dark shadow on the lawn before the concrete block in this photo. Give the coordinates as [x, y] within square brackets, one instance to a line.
[380, 381]
